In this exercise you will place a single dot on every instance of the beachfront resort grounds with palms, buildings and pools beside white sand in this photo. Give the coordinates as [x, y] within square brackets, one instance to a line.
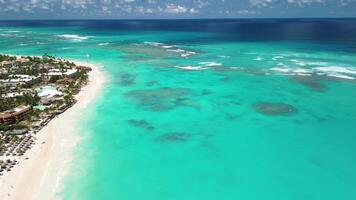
[33, 90]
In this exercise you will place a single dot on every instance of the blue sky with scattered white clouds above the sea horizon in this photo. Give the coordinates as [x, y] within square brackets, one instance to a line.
[174, 9]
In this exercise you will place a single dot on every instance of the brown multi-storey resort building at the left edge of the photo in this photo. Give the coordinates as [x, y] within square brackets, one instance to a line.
[14, 115]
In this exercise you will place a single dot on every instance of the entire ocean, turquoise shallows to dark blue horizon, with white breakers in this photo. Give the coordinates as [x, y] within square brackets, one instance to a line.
[209, 109]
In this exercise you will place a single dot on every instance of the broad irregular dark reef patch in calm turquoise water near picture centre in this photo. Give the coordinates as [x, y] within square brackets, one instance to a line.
[161, 99]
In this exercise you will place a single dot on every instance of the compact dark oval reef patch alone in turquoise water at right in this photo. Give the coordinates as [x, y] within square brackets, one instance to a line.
[274, 109]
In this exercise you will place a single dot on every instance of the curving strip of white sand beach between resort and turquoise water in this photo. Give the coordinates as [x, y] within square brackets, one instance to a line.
[40, 176]
